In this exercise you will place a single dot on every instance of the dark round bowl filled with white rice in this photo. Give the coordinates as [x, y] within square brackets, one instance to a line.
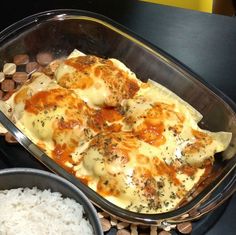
[37, 202]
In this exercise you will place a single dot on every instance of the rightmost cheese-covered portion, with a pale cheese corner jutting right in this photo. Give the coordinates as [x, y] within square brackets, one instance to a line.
[172, 128]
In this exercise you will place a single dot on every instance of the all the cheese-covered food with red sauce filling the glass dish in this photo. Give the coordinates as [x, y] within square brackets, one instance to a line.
[137, 144]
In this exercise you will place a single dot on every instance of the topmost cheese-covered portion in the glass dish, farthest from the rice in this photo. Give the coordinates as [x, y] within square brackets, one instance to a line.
[90, 75]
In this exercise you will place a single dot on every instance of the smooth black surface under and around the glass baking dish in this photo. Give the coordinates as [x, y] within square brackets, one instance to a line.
[206, 43]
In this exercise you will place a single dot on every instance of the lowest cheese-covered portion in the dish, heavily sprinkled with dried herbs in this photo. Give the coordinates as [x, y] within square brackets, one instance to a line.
[133, 174]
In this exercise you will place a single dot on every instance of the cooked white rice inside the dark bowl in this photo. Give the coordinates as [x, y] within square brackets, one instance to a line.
[35, 212]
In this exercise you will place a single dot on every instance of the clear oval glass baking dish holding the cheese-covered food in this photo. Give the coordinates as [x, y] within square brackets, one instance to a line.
[60, 31]
